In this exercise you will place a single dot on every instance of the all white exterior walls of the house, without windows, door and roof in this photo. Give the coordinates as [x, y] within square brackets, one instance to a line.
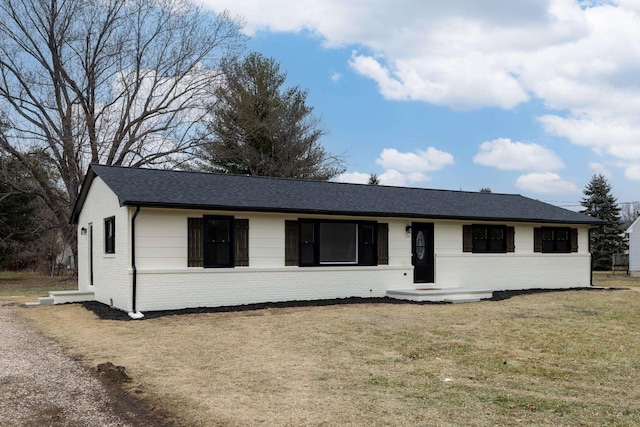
[165, 282]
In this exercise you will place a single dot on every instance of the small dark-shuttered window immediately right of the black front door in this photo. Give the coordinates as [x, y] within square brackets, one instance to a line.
[479, 238]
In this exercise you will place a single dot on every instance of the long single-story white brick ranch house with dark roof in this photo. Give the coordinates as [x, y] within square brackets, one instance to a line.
[156, 240]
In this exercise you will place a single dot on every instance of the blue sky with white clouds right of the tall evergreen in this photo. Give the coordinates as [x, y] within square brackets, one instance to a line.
[528, 97]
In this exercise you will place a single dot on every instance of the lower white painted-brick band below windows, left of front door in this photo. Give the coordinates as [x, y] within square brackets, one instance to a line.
[218, 287]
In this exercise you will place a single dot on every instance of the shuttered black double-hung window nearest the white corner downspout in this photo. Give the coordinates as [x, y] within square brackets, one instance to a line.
[218, 241]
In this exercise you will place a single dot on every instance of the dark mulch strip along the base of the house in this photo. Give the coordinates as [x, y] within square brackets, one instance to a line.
[105, 312]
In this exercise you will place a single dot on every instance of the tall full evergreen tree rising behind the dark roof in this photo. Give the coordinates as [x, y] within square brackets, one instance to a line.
[261, 128]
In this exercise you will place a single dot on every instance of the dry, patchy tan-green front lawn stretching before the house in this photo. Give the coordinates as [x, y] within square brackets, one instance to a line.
[567, 358]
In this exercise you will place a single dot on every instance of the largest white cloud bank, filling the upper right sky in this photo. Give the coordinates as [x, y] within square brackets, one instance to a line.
[576, 56]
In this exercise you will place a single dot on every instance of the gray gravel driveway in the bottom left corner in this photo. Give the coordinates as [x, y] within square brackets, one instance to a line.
[41, 386]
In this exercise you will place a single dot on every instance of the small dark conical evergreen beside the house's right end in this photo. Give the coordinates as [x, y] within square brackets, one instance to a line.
[606, 239]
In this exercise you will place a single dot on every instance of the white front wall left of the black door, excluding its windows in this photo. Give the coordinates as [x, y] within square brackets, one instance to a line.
[164, 281]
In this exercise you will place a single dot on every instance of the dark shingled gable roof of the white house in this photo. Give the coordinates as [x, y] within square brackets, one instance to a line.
[195, 190]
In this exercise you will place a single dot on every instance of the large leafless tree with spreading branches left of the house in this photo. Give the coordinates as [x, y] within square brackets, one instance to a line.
[119, 82]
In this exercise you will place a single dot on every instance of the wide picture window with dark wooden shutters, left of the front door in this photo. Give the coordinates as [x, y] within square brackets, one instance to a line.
[324, 242]
